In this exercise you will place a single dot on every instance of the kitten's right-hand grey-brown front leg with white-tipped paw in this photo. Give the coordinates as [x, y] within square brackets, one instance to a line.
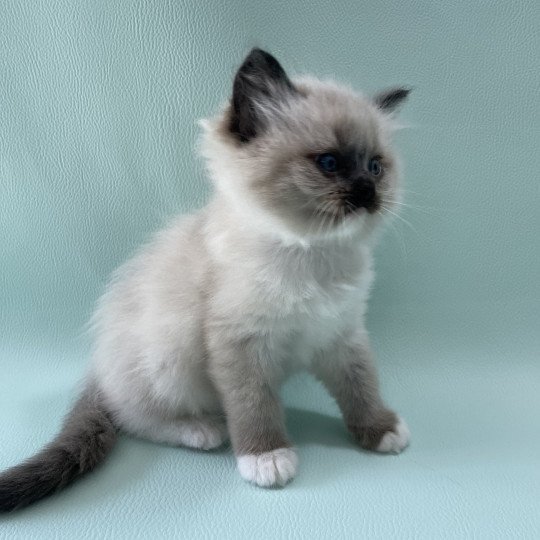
[349, 374]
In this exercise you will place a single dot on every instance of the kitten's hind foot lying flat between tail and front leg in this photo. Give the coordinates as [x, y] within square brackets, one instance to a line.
[202, 432]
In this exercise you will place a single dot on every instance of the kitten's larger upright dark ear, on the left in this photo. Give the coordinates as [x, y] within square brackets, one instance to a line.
[259, 78]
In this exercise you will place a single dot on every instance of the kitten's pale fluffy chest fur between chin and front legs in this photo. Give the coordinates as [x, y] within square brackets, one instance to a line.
[296, 298]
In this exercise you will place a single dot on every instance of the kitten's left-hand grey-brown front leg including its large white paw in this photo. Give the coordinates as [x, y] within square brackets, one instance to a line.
[245, 378]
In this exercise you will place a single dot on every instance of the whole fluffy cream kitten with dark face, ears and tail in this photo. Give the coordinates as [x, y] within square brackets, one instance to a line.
[196, 333]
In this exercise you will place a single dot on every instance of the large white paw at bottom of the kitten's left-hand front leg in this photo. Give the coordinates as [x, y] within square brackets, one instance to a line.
[273, 468]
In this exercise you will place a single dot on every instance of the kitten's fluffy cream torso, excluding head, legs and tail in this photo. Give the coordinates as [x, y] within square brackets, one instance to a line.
[212, 276]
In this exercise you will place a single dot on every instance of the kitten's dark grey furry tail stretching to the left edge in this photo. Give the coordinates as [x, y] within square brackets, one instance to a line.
[86, 437]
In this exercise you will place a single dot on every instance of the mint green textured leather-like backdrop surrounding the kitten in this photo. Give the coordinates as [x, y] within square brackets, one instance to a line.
[98, 104]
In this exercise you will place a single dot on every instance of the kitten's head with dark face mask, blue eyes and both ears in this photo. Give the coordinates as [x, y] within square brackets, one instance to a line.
[304, 157]
